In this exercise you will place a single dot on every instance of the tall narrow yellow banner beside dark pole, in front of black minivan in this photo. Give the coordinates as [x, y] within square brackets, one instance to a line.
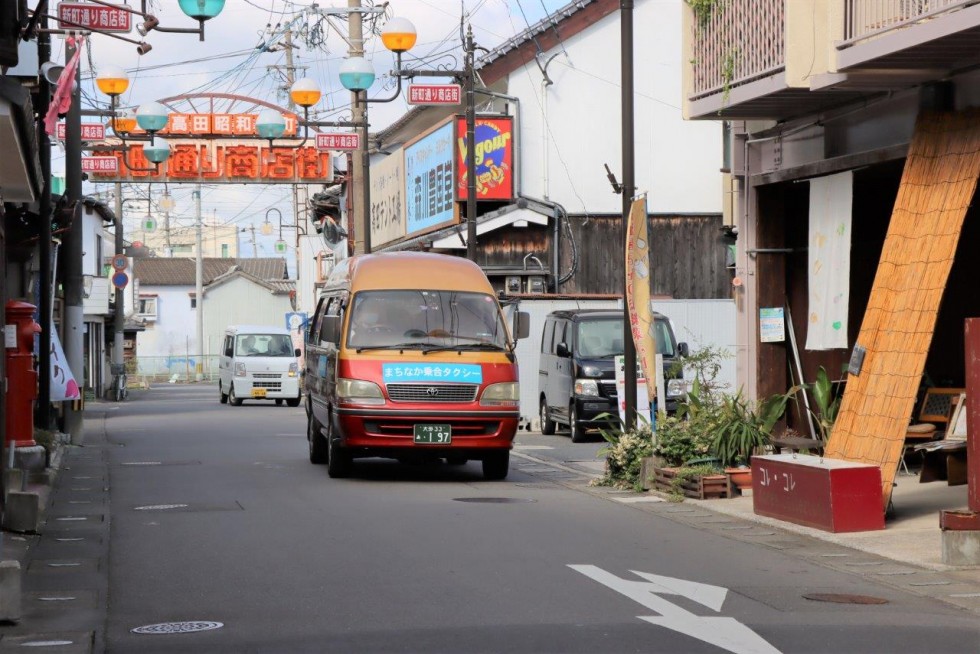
[638, 294]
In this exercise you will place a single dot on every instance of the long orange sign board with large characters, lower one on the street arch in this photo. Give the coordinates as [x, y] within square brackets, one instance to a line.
[229, 161]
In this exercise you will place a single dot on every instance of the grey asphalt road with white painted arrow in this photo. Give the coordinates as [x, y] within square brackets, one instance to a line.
[217, 515]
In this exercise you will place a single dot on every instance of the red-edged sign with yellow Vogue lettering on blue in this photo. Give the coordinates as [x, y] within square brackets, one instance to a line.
[494, 158]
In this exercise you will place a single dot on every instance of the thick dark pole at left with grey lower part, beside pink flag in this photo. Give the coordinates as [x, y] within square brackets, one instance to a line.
[74, 318]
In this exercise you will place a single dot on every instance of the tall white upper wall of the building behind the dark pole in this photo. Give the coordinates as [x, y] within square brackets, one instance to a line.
[569, 129]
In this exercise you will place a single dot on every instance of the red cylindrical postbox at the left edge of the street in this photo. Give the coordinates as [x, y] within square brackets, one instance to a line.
[22, 386]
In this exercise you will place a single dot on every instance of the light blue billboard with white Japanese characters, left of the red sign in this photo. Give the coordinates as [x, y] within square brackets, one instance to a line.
[429, 180]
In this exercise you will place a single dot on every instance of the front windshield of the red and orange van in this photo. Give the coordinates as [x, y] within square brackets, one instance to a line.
[423, 318]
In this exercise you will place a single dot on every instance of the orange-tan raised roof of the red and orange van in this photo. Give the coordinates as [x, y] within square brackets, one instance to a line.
[409, 270]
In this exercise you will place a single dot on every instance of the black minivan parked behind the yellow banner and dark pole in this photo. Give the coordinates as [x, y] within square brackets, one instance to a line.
[577, 377]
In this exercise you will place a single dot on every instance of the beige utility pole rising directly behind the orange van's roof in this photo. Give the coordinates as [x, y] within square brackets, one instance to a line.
[360, 188]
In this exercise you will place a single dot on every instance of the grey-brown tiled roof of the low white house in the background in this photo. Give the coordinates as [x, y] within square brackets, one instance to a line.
[182, 271]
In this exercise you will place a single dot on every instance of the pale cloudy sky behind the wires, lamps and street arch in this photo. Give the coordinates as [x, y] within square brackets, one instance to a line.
[243, 53]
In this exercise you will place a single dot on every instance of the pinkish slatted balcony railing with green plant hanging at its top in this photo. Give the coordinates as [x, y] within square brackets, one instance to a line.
[736, 42]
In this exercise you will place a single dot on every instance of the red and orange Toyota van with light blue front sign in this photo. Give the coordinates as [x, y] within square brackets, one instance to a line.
[409, 356]
